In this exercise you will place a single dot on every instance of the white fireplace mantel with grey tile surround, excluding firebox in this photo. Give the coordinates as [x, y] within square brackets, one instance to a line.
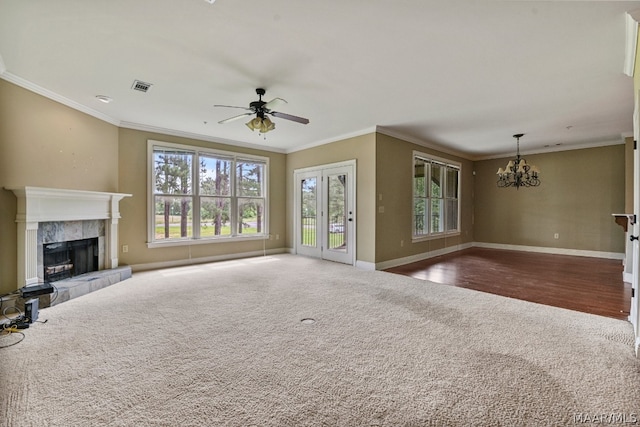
[47, 215]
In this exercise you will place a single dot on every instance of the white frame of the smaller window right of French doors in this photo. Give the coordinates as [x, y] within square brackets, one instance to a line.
[448, 164]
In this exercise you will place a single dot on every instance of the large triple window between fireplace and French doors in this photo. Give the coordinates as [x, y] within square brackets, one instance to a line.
[205, 195]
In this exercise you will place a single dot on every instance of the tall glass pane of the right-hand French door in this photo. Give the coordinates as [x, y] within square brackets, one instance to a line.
[337, 219]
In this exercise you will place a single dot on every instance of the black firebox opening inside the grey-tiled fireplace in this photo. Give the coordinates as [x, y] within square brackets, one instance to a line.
[72, 258]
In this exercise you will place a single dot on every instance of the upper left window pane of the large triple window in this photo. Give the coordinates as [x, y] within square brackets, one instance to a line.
[172, 172]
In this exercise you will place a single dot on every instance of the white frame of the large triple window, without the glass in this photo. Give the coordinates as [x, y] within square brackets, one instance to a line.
[197, 151]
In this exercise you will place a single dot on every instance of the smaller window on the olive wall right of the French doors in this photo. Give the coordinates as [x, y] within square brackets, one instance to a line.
[435, 196]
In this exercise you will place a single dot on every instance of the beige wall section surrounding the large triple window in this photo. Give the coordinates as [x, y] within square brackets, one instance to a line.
[133, 225]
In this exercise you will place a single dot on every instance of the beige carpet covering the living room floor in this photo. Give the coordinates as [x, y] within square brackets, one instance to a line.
[223, 344]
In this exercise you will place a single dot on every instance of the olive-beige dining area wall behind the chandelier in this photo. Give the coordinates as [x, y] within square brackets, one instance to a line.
[580, 190]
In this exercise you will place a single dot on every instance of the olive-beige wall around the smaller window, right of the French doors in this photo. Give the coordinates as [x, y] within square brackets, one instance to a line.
[394, 181]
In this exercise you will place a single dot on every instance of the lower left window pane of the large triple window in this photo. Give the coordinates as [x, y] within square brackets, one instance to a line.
[172, 219]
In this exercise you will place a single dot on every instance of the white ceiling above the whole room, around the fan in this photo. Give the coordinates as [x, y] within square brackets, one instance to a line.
[463, 75]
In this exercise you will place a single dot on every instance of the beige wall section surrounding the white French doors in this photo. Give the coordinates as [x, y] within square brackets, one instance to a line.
[363, 150]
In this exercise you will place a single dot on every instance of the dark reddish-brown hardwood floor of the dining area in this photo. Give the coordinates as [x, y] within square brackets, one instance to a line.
[591, 285]
